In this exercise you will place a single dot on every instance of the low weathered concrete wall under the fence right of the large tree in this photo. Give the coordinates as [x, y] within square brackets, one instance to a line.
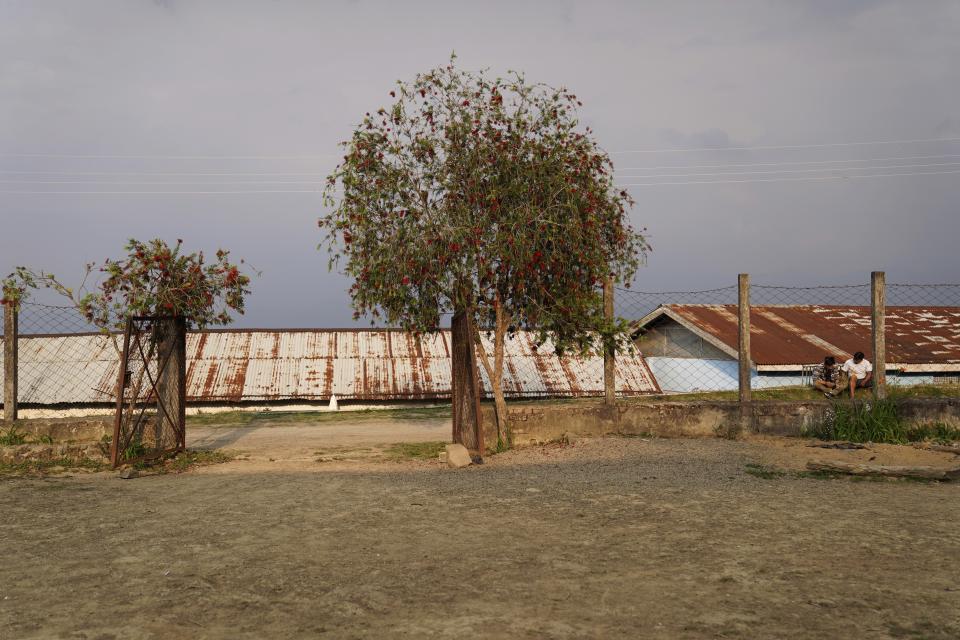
[537, 422]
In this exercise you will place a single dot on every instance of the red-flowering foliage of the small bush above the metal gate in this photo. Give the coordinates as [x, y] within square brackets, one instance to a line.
[152, 279]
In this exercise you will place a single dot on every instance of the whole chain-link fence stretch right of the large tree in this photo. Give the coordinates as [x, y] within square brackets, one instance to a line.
[798, 335]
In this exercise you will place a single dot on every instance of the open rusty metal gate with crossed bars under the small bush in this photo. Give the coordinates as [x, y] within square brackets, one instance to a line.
[150, 419]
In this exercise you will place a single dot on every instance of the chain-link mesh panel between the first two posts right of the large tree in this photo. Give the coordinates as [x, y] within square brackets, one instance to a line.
[667, 329]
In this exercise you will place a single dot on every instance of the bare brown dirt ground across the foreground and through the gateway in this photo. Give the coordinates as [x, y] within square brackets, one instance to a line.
[606, 538]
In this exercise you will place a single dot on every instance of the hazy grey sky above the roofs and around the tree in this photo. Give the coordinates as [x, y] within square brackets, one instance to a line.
[780, 139]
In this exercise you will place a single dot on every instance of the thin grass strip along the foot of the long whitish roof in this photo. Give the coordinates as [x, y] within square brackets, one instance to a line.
[273, 418]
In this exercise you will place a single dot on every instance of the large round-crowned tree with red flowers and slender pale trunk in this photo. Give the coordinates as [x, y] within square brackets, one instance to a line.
[482, 195]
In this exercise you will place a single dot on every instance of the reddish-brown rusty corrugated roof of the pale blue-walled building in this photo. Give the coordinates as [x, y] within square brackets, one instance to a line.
[922, 338]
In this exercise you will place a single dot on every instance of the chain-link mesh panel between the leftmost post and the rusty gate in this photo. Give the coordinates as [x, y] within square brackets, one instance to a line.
[65, 366]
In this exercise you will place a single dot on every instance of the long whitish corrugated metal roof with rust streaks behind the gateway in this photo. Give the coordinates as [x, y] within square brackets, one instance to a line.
[260, 365]
